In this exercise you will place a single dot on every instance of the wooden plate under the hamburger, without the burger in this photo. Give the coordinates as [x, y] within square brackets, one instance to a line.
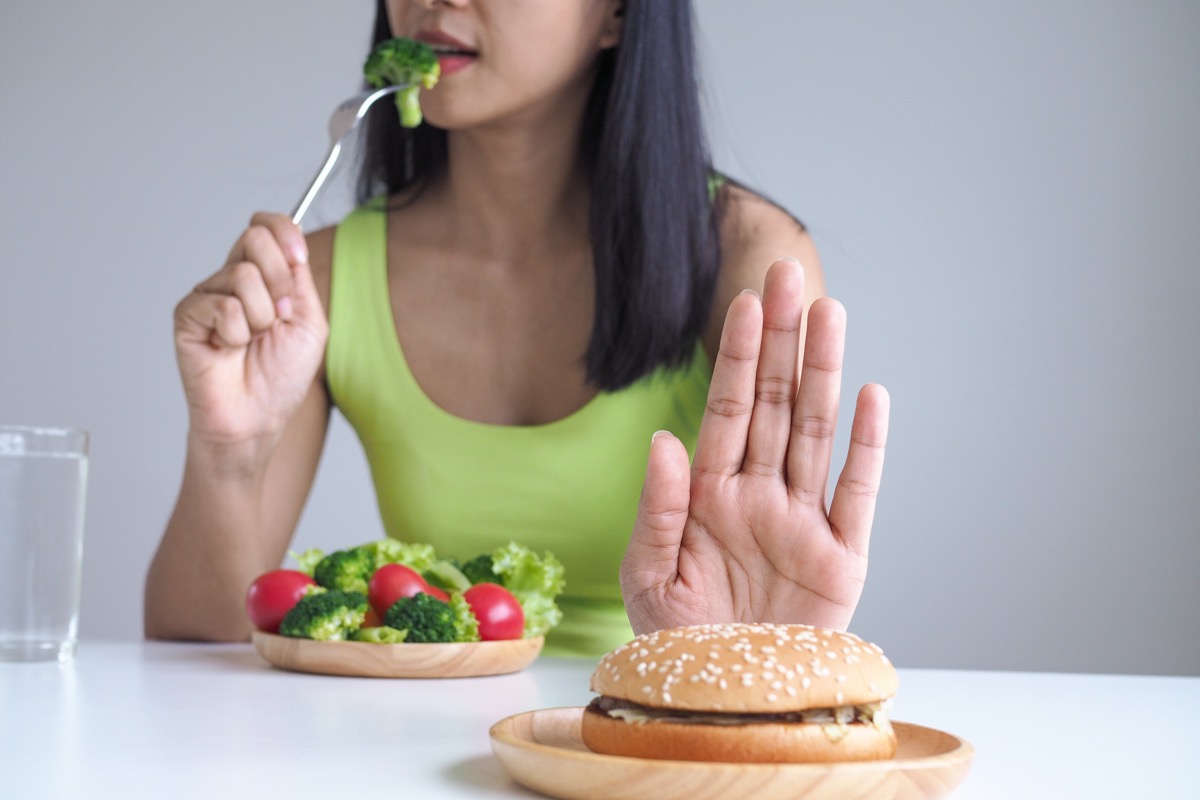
[543, 751]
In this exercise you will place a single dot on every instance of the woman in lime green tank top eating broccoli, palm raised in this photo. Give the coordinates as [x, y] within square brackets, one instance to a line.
[543, 290]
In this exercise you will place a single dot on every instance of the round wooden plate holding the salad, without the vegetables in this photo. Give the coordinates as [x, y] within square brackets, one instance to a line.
[370, 660]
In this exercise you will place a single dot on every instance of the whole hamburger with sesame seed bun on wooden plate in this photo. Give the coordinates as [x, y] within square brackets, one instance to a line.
[743, 693]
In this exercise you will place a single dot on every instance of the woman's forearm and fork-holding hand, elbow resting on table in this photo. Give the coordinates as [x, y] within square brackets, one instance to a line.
[250, 345]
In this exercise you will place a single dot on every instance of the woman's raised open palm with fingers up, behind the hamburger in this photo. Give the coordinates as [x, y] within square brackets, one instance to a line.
[746, 536]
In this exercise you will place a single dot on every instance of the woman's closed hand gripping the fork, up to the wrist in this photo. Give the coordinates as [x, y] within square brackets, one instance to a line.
[250, 340]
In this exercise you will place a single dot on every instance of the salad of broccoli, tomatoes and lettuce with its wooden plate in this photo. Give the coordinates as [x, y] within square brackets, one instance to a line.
[397, 610]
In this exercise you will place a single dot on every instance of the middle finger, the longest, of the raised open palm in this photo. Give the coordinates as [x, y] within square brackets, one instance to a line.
[783, 306]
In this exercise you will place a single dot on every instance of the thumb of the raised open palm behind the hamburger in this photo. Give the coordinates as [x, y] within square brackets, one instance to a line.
[653, 555]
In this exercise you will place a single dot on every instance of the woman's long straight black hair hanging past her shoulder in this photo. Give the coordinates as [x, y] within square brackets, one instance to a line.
[653, 221]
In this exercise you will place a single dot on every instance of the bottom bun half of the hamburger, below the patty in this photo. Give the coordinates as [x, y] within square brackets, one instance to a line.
[772, 743]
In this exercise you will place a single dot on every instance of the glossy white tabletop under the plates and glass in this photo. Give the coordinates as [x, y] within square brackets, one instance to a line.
[148, 720]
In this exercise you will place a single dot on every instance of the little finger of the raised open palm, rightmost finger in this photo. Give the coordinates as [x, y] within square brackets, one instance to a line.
[853, 510]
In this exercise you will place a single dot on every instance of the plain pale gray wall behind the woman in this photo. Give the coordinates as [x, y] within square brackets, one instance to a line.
[1004, 196]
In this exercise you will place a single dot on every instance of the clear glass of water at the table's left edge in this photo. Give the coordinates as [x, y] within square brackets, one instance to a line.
[44, 480]
